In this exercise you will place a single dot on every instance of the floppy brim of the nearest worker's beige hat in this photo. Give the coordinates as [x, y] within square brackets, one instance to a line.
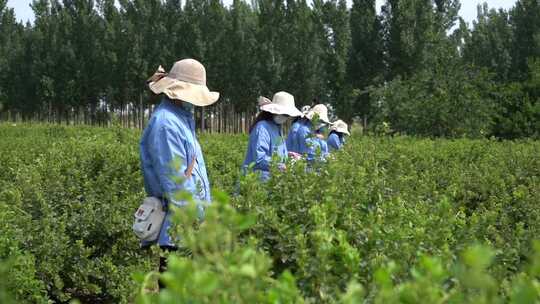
[198, 95]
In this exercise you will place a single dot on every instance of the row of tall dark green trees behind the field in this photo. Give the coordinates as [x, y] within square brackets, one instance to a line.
[415, 67]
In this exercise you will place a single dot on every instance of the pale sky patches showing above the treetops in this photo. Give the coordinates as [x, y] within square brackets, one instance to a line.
[468, 7]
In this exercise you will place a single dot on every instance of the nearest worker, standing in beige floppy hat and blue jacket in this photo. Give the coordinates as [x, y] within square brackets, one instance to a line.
[171, 157]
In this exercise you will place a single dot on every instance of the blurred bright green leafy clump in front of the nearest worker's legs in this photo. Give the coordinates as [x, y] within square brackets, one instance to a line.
[223, 267]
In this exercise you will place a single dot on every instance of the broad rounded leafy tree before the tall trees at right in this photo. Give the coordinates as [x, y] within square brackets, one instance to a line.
[446, 100]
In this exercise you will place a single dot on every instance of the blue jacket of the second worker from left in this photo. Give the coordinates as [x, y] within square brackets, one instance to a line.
[265, 140]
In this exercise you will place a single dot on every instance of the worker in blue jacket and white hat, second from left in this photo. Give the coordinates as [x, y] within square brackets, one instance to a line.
[265, 136]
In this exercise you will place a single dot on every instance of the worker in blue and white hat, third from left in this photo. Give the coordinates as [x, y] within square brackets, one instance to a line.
[303, 139]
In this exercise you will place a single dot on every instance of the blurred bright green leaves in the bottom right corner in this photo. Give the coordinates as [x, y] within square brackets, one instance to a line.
[467, 281]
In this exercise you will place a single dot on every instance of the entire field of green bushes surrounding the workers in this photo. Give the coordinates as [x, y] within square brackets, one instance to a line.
[387, 220]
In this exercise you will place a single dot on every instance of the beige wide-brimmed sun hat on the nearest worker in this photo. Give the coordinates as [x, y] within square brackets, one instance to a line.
[186, 82]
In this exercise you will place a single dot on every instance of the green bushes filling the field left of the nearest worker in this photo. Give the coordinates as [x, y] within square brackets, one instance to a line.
[66, 203]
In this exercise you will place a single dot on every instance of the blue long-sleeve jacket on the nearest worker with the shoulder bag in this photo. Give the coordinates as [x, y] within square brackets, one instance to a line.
[168, 145]
